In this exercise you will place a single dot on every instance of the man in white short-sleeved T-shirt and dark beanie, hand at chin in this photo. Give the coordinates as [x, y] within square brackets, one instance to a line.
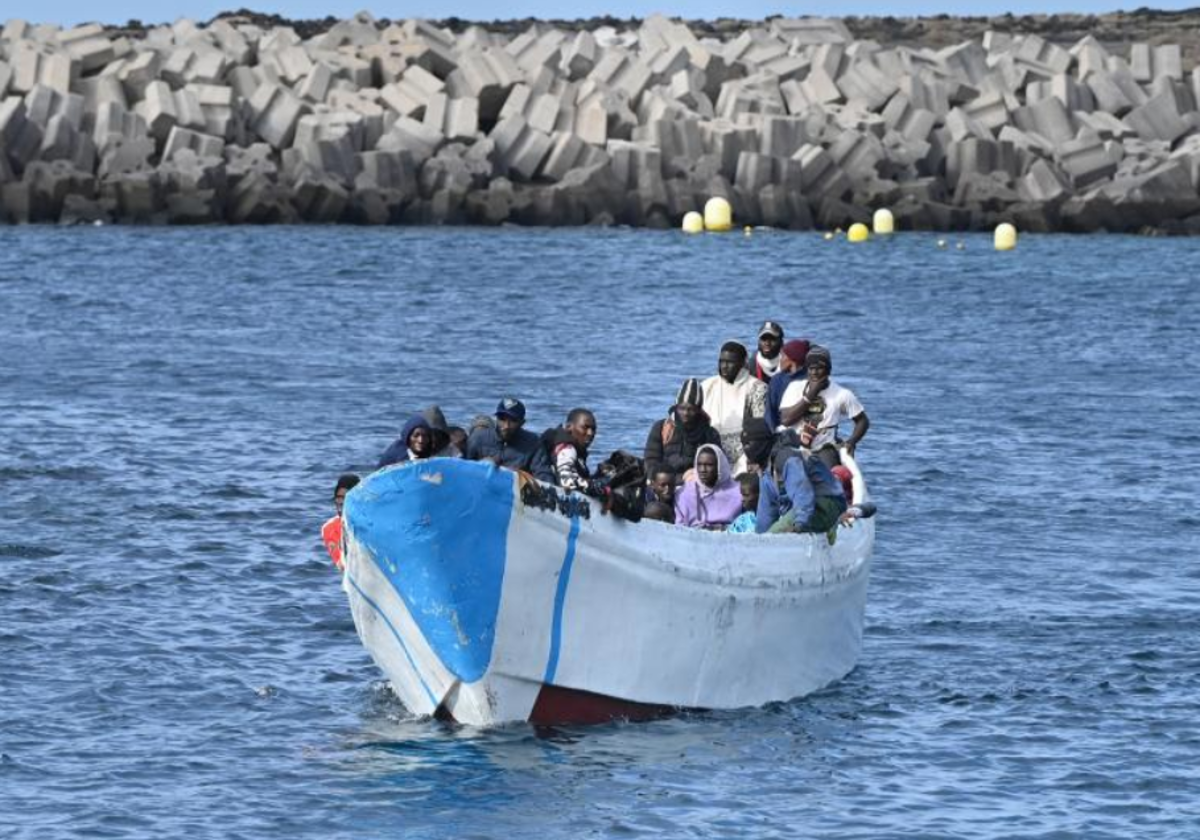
[821, 397]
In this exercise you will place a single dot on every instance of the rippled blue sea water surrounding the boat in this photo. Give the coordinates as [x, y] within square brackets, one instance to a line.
[177, 656]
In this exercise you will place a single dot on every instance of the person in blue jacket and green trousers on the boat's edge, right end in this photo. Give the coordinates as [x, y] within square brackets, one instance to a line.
[800, 494]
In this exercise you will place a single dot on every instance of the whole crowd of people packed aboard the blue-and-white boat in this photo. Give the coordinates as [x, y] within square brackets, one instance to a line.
[753, 449]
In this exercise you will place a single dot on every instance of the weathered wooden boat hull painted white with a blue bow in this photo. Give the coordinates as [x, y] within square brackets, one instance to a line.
[487, 597]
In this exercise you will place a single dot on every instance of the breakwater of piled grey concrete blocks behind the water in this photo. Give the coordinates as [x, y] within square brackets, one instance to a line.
[795, 123]
